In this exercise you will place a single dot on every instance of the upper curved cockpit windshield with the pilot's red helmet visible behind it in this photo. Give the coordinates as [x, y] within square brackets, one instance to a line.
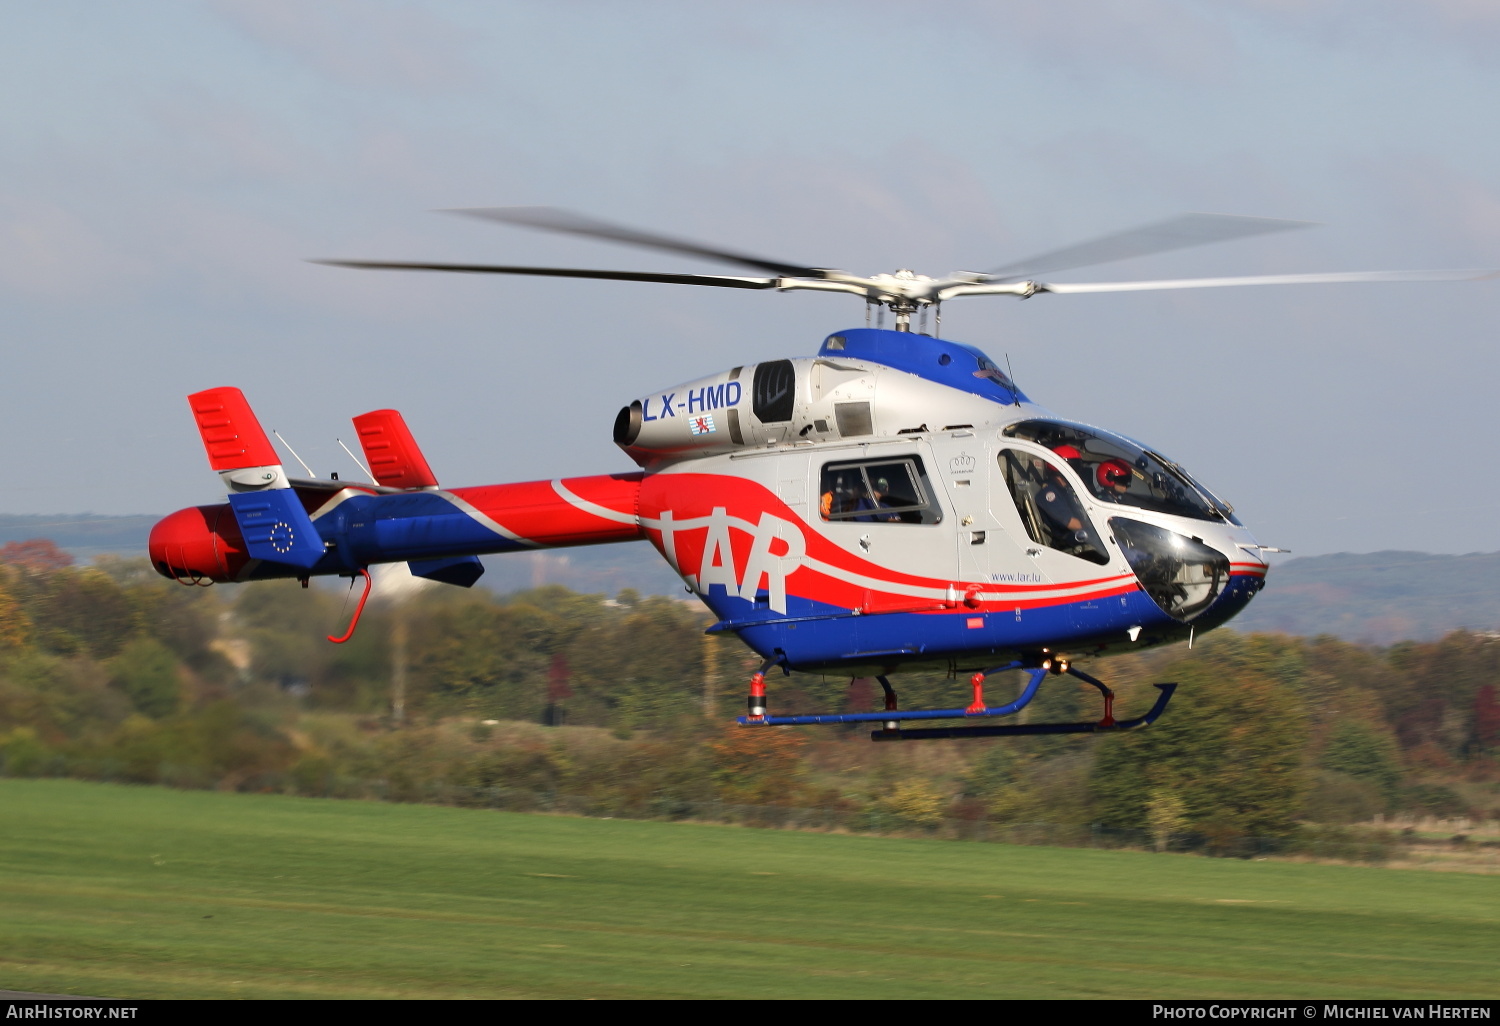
[1123, 472]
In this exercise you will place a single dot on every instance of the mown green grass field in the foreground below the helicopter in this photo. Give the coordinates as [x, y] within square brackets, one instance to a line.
[152, 893]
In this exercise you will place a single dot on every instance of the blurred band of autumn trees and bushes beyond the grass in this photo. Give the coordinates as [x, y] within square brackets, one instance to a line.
[625, 704]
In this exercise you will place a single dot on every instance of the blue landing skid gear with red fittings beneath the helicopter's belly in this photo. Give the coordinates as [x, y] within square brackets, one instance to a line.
[892, 718]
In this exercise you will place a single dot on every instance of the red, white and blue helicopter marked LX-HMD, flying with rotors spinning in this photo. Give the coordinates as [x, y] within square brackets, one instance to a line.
[892, 503]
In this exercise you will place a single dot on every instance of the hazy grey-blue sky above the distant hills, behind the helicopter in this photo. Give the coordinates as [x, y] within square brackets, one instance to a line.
[169, 169]
